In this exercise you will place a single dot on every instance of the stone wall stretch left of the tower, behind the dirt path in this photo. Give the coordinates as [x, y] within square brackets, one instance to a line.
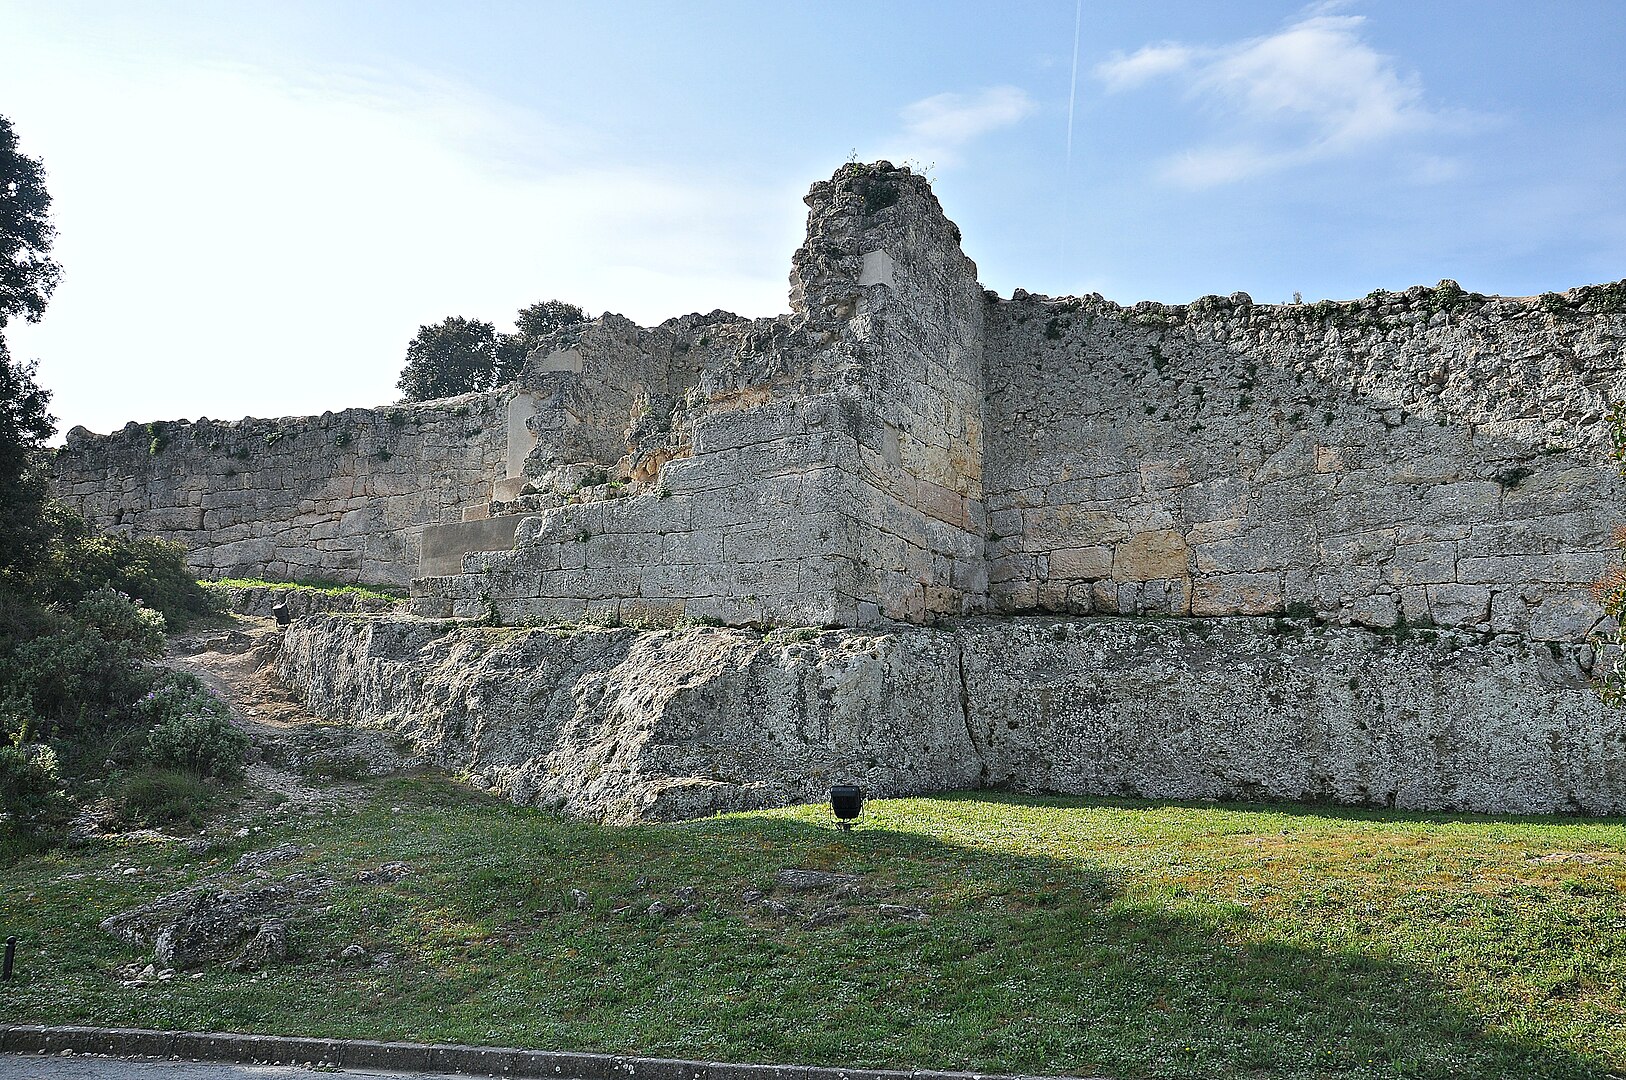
[336, 497]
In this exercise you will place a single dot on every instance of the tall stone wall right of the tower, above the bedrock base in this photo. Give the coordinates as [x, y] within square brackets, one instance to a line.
[1432, 458]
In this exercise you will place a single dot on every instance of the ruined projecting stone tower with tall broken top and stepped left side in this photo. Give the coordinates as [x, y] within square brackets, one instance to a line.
[815, 469]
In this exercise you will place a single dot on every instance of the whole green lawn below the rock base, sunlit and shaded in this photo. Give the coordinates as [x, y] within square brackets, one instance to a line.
[1064, 936]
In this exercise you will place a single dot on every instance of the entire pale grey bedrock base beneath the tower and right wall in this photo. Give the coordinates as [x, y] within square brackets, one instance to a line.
[632, 725]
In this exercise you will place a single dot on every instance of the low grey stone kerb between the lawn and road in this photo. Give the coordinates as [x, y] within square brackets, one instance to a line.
[489, 1061]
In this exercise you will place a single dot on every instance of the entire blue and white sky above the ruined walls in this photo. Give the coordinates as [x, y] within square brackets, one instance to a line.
[261, 202]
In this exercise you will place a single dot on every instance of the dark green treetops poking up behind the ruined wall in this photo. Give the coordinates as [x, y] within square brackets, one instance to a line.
[463, 355]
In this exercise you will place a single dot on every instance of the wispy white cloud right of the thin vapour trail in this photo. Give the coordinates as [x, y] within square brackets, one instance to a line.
[1308, 94]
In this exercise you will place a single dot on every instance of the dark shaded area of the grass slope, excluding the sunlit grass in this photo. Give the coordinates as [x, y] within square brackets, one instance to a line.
[1025, 964]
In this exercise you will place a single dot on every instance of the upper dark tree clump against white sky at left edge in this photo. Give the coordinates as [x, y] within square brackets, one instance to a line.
[28, 276]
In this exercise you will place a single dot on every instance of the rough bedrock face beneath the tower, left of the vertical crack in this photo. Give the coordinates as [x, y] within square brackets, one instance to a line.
[625, 726]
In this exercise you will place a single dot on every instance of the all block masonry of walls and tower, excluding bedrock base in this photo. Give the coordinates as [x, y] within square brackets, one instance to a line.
[903, 446]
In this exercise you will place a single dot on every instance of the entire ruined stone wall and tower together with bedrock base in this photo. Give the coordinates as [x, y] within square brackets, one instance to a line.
[1219, 551]
